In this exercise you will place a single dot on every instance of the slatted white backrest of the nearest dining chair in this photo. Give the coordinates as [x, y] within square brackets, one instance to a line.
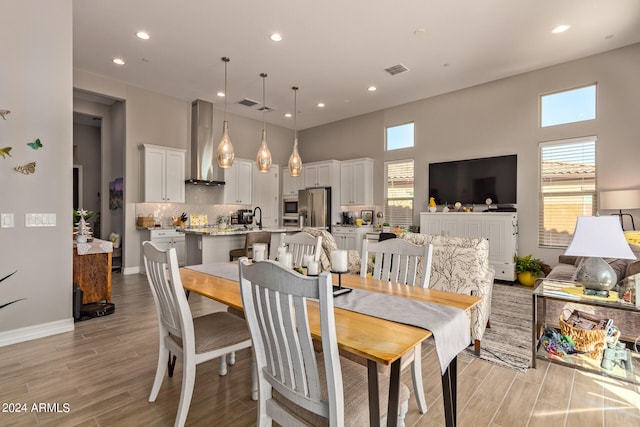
[275, 304]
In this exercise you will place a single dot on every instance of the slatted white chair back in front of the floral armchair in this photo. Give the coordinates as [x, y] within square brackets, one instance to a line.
[399, 261]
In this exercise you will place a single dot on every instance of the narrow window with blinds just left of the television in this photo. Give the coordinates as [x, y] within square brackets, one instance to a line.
[398, 190]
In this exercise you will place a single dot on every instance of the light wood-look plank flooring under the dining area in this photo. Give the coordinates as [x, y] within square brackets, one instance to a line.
[101, 374]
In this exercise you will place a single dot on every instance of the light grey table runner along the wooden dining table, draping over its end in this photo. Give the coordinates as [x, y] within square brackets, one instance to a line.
[449, 325]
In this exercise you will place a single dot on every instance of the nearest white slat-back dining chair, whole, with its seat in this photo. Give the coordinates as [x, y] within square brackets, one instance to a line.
[294, 381]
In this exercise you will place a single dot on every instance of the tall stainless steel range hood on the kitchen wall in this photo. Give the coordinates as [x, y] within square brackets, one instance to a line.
[204, 166]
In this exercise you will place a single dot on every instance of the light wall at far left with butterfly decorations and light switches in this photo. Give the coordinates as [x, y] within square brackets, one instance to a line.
[36, 76]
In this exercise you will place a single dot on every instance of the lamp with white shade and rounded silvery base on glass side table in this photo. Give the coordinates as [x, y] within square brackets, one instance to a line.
[596, 237]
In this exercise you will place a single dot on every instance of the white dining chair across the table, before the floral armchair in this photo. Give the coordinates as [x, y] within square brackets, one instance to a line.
[400, 261]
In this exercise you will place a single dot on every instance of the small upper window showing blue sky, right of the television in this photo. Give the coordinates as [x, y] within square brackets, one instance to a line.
[569, 106]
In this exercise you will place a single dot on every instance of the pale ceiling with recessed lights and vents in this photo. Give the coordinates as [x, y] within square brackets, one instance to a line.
[335, 49]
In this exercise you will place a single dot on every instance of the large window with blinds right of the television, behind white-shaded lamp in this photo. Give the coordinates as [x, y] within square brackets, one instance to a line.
[567, 188]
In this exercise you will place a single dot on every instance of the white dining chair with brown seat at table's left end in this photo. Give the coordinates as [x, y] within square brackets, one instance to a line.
[193, 340]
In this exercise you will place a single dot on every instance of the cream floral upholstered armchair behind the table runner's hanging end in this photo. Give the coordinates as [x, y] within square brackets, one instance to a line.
[461, 265]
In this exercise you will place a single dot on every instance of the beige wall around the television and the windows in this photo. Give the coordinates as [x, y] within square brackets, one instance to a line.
[500, 118]
